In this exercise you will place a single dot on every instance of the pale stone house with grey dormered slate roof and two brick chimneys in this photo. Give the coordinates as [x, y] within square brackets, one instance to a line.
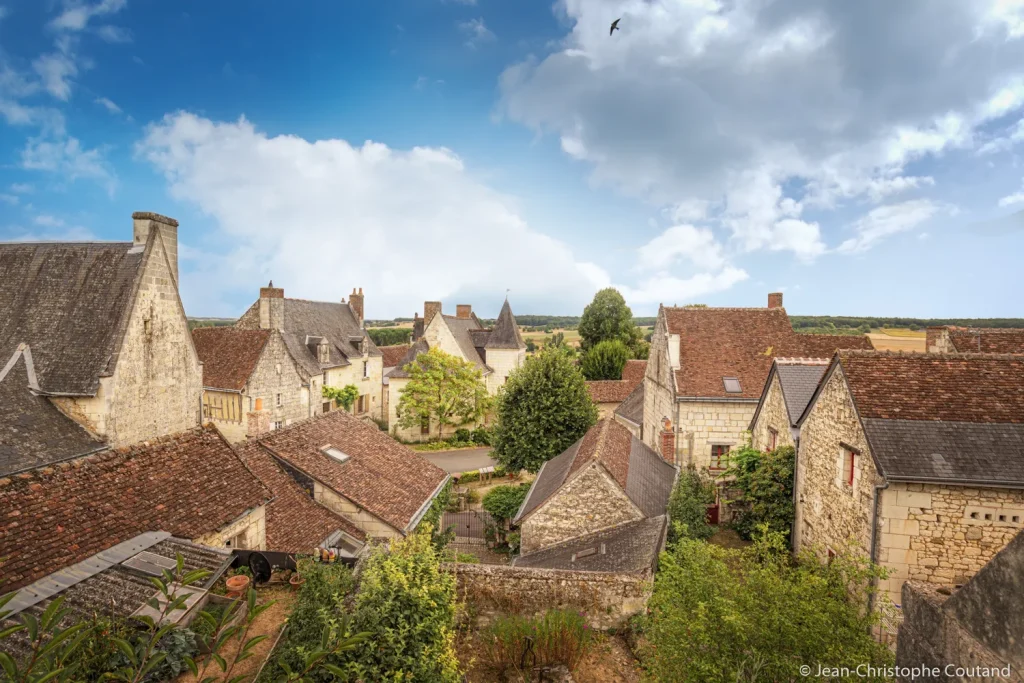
[330, 346]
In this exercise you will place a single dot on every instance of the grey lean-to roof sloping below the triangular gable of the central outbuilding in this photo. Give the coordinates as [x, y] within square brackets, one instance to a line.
[629, 548]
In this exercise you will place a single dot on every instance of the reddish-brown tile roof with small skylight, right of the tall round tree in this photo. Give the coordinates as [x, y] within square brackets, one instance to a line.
[741, 343]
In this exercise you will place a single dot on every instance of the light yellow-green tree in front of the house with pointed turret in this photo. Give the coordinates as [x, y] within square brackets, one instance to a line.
[444, 389]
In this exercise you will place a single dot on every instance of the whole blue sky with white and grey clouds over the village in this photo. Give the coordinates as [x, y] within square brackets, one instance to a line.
[864, 158]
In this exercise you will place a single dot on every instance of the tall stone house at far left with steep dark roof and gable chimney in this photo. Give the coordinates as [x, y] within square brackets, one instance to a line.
[106, 332]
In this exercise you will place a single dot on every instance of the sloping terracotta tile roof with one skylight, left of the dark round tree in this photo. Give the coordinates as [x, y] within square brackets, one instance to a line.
[387, 479]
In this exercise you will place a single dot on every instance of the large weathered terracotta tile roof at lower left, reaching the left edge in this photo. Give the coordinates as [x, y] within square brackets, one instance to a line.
[189, 485]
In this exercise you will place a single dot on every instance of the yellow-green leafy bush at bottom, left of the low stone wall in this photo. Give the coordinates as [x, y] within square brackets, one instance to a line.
[407, 602]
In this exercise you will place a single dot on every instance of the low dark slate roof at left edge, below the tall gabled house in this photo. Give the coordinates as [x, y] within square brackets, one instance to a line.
[33, 432]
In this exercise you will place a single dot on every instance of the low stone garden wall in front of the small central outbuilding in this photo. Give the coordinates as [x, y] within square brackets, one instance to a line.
[607, 600]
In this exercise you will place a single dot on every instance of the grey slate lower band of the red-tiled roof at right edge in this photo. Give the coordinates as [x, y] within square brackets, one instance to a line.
[968, 453]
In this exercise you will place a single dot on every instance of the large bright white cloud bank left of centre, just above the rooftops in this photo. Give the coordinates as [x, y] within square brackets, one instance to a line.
[323, 217]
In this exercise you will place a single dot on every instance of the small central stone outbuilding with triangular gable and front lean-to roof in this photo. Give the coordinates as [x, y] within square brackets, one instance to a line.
[608, 492]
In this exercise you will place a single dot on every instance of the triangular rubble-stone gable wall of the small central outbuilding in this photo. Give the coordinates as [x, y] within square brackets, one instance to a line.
[589, 503]
